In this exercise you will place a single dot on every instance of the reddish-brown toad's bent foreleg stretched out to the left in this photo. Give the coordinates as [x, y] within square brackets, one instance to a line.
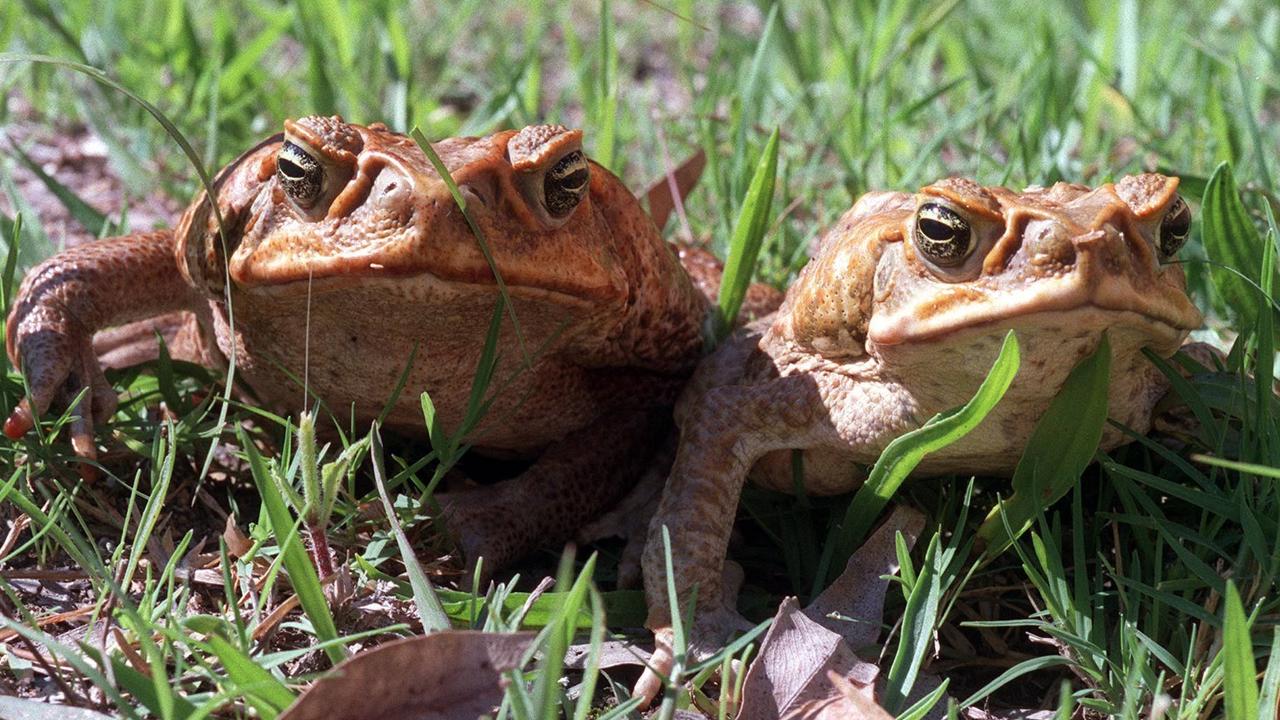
[63, 302]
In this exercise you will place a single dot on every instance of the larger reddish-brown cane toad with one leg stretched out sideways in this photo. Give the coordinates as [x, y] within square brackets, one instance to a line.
[345, 252]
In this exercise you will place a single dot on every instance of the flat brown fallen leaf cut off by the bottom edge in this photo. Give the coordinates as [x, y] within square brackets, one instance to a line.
[447, 676]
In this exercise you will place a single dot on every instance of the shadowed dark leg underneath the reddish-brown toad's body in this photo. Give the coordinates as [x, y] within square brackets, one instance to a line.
[573, 482]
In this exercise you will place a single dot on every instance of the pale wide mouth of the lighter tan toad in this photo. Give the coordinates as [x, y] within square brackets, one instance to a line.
[1164, 313]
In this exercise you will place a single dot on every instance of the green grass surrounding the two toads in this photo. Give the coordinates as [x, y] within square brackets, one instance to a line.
[1151, 582]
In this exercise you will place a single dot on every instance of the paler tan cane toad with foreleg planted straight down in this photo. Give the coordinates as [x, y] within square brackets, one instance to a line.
[900, 317]
